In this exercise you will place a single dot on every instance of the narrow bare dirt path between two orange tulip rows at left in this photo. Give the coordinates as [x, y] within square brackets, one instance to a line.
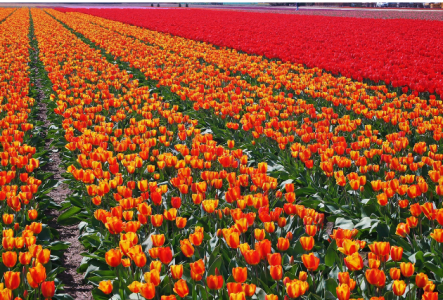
[74, 285]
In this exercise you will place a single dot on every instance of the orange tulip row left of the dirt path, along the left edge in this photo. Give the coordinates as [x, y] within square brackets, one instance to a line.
[24, 261]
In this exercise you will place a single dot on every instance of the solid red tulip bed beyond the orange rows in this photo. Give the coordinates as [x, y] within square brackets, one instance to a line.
[398, 52]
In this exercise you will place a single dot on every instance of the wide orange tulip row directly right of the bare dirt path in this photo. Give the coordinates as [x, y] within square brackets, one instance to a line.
[197, 204]
